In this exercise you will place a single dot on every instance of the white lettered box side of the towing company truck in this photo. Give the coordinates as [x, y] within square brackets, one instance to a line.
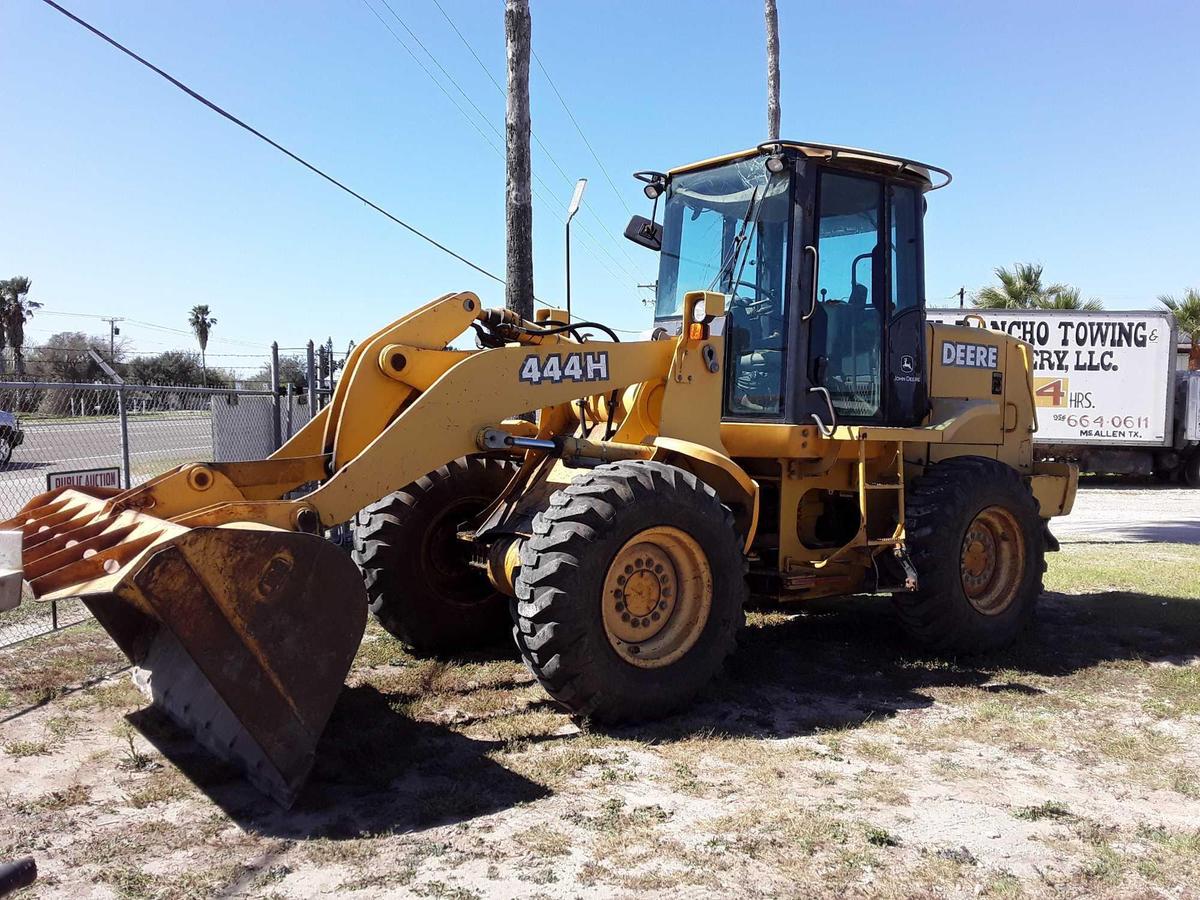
[1099, 377]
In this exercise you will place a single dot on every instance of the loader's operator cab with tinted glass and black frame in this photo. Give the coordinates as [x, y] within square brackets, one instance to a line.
[819, 250]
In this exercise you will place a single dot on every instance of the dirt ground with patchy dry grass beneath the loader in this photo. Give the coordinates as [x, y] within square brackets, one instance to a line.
[830, 760]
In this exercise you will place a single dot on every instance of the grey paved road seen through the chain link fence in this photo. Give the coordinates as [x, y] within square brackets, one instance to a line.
[155, 445]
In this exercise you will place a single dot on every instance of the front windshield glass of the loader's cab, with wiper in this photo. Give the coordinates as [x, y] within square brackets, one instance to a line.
[727, 230]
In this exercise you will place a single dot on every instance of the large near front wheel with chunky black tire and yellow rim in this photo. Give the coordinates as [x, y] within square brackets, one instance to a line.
[631, 592]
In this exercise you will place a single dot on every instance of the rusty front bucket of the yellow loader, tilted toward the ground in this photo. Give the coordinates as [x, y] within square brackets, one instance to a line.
[242, 634]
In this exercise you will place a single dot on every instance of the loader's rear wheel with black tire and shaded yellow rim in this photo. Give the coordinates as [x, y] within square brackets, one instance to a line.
[977, 544]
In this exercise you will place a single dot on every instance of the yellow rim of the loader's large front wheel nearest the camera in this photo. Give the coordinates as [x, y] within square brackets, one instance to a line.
[658, 596]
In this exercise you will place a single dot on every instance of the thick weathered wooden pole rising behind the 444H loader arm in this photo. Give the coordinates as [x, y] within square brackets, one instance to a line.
[518, 193]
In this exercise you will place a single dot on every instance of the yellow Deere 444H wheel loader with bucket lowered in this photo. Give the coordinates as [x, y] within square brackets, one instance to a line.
[794, 429]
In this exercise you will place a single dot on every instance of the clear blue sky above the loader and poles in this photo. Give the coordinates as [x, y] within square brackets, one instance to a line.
[1071, 129]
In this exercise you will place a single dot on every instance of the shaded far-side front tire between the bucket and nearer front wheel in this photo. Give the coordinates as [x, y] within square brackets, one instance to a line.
[421, 585]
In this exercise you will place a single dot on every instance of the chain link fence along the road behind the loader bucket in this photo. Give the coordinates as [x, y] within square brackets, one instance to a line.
[121, 436]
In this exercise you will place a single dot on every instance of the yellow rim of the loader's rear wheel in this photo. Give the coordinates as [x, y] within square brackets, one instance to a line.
[993, 561]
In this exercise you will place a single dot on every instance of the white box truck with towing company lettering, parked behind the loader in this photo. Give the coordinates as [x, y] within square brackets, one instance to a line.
[1112, 391]
